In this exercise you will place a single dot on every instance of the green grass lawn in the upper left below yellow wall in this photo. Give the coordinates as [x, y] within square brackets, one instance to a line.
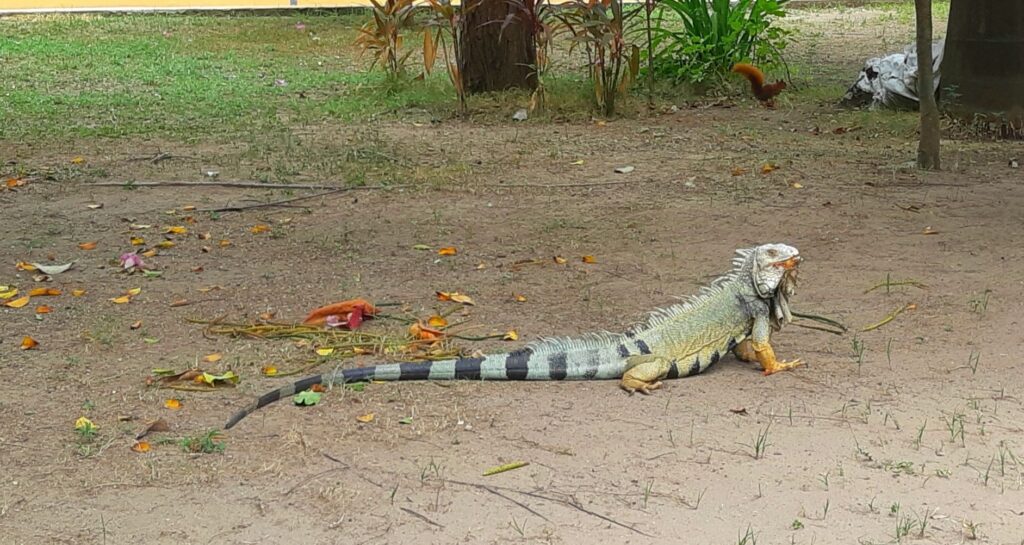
[187, 76]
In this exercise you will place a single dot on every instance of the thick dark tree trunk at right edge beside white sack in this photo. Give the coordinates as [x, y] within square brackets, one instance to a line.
[984, 63]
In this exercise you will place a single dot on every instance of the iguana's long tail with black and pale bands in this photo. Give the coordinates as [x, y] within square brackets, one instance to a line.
[526, 364]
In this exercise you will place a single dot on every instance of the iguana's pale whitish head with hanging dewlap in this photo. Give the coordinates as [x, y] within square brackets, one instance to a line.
[774, 274]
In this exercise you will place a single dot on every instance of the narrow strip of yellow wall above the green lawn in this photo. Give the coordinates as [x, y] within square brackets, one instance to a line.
[56, 6]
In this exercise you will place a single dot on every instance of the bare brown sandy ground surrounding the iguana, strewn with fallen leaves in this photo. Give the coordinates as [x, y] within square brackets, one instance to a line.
[908, 433]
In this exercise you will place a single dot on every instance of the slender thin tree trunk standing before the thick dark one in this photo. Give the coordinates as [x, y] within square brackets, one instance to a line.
[928, 148]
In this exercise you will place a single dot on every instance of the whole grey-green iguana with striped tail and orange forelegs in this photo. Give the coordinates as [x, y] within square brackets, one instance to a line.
[737, 312]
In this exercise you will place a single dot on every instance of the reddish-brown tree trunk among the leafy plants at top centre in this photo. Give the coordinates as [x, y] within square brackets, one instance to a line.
[497, 59]
